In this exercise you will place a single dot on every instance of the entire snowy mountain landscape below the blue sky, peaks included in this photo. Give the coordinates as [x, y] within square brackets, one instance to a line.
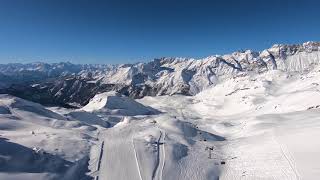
[244, 115]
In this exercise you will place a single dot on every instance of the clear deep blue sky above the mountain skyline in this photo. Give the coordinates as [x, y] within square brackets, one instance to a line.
[124, 31]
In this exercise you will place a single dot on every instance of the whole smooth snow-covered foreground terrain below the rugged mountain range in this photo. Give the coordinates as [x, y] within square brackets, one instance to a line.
[257, 126]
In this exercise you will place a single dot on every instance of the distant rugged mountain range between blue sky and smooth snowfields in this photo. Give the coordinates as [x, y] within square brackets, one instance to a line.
[66, 83]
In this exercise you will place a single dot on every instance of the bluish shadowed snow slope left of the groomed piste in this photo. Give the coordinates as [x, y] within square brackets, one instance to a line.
[33, 143]
